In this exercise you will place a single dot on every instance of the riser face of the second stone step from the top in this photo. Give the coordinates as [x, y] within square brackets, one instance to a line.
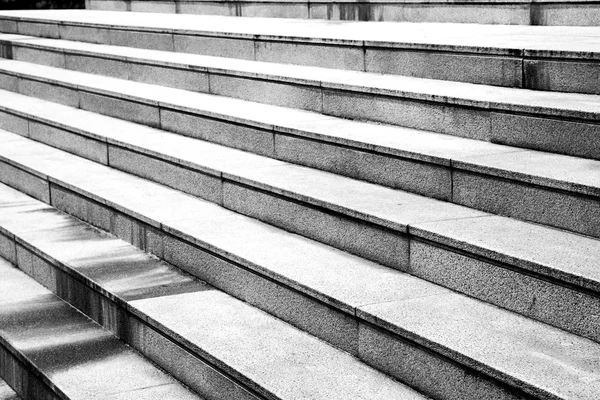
[542, 132]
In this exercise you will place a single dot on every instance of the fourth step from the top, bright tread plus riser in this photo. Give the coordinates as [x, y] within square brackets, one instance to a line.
[221, 175]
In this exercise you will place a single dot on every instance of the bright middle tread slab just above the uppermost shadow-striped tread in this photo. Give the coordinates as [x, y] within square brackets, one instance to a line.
[335, 277]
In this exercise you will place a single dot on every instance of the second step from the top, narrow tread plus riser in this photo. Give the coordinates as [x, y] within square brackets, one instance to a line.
[516, 117]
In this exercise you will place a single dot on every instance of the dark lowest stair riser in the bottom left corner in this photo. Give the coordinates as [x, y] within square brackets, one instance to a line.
[18, 373]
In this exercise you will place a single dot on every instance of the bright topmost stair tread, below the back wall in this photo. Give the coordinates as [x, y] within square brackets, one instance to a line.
[497, 39]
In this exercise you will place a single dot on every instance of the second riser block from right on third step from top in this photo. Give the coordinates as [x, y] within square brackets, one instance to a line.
[422, 178]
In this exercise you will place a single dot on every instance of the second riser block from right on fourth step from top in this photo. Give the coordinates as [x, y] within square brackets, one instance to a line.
[363, 239]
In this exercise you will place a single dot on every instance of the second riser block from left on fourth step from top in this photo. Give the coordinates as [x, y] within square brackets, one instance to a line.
[64, 140]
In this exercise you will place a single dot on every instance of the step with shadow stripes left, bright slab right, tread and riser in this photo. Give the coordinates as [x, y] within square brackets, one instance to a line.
[214, 343]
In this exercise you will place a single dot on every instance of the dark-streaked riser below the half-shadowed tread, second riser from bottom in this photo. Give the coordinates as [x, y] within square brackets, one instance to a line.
[131, 326]
